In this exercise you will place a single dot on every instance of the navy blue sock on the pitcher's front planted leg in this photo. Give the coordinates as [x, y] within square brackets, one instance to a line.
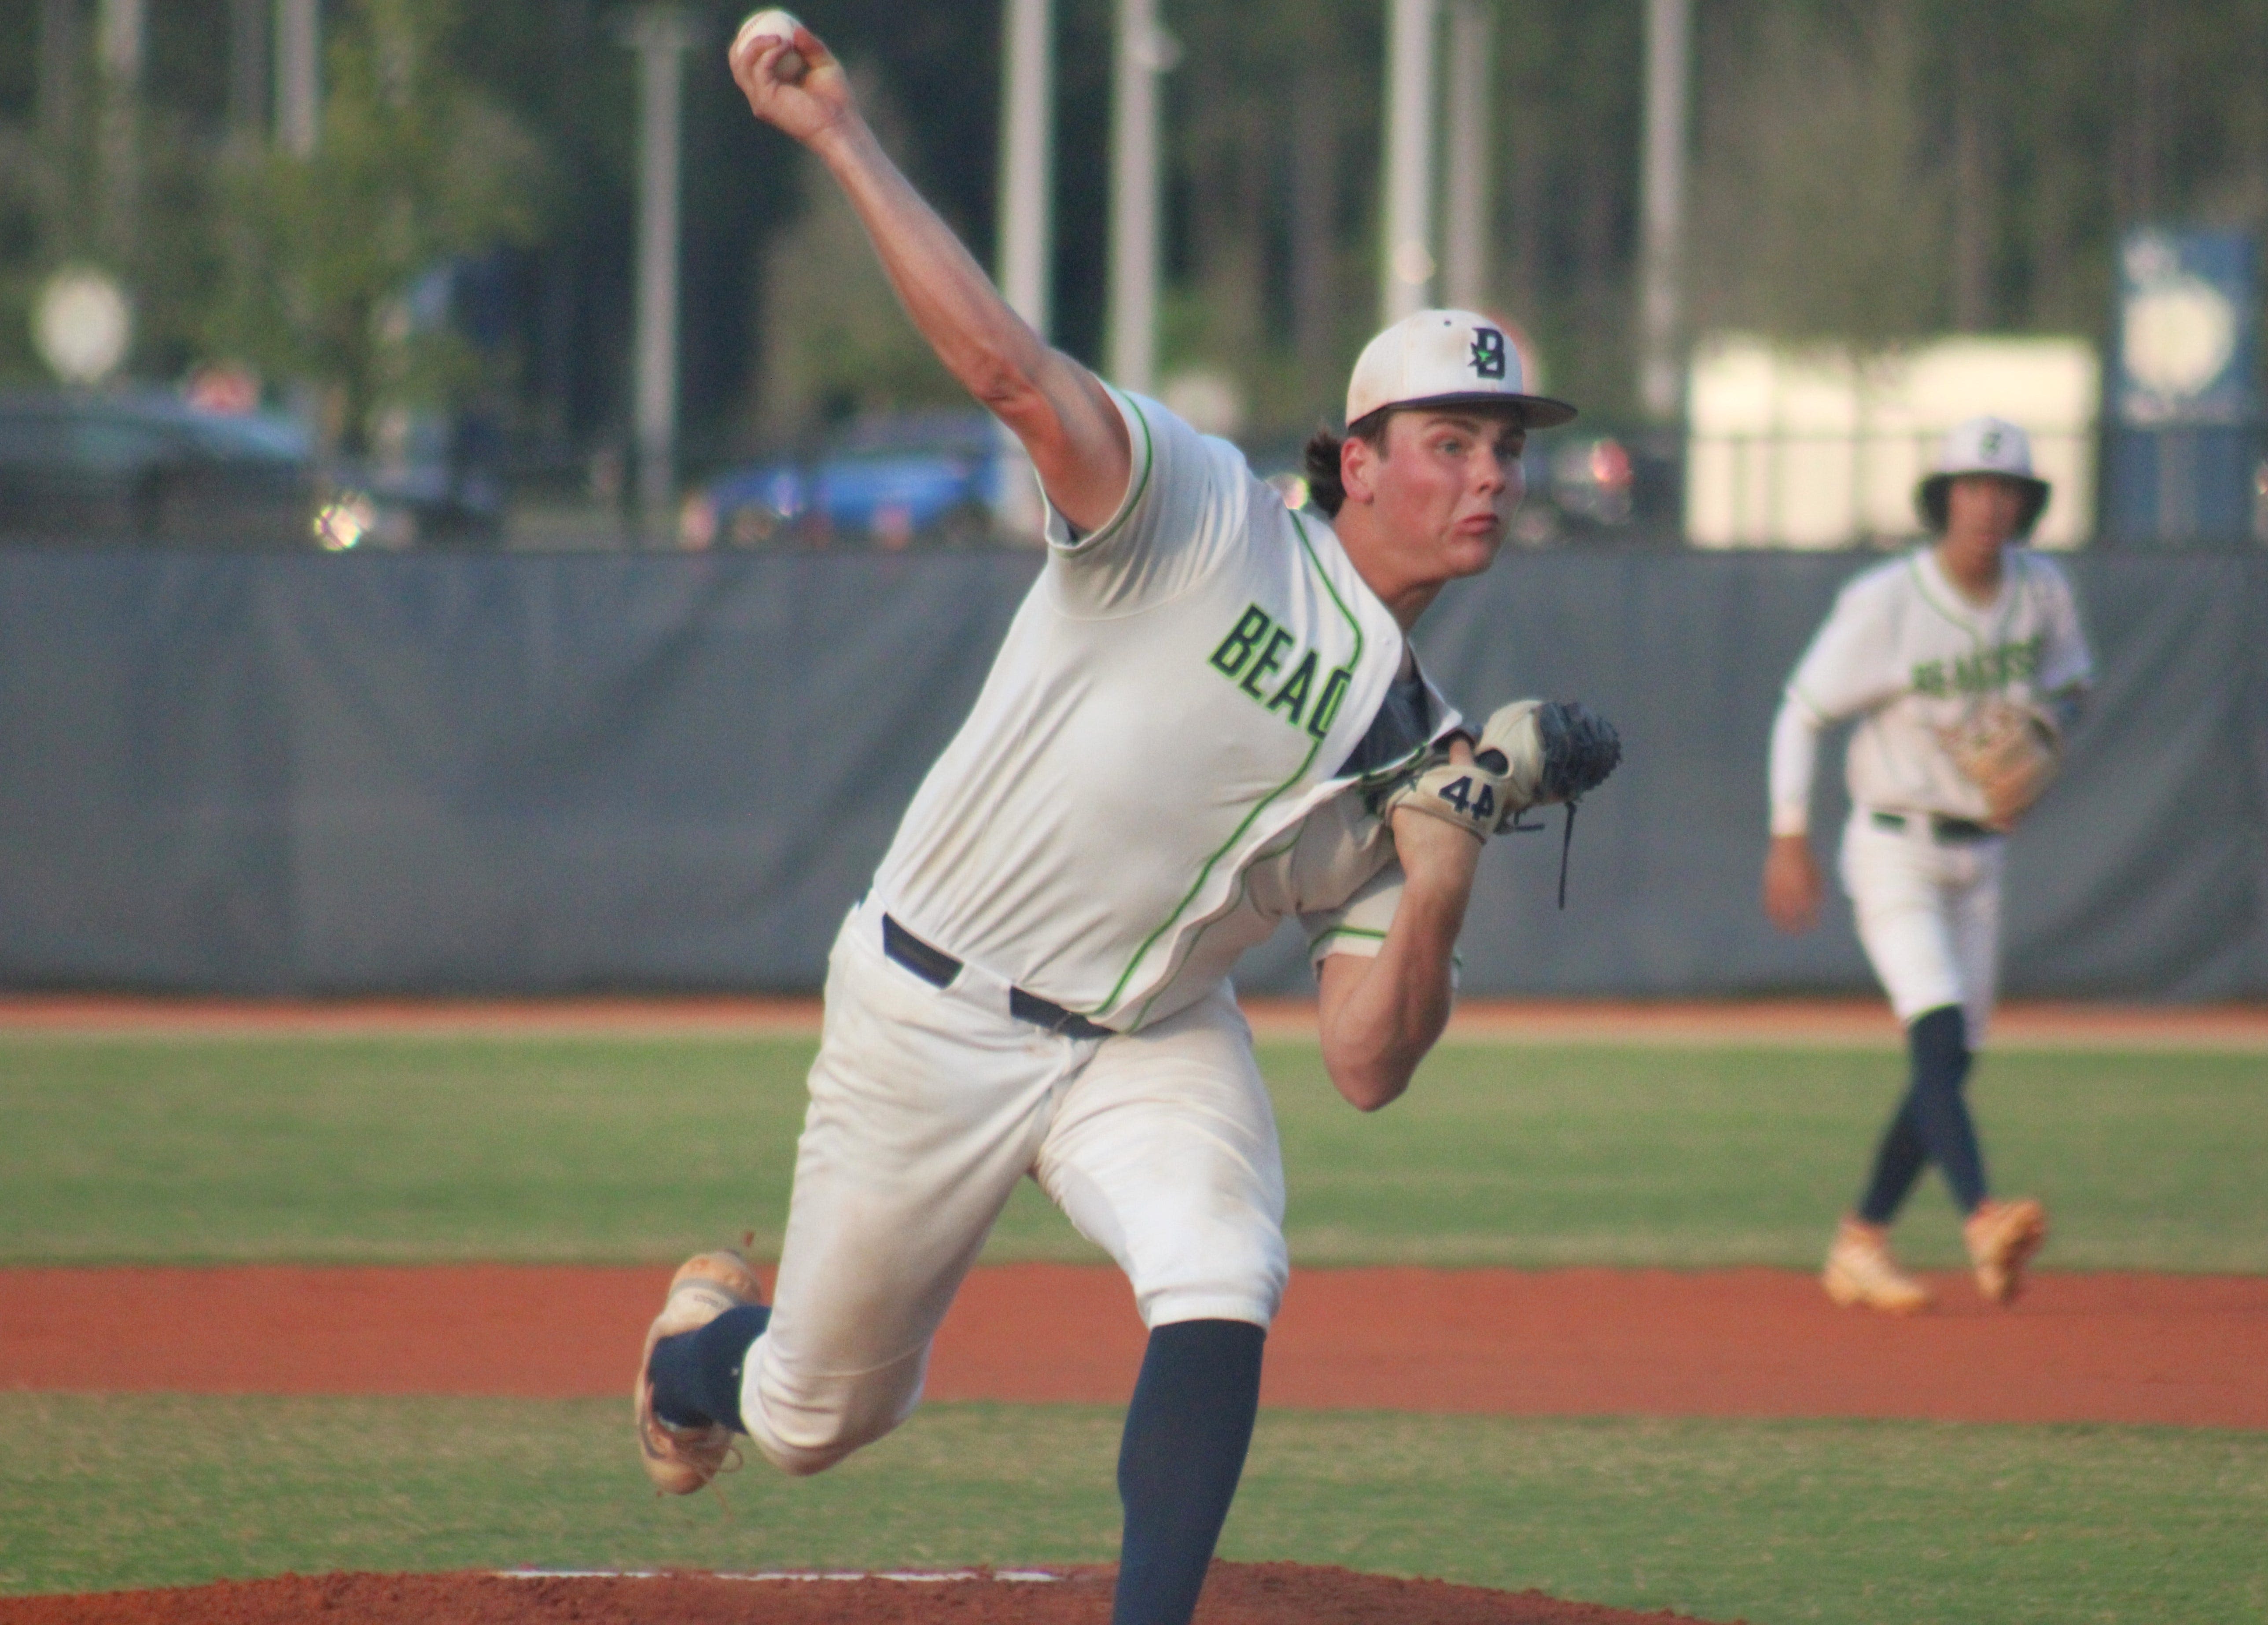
[1185, 1449]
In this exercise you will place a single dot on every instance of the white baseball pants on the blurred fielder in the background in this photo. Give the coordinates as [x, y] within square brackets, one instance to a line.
[1929, 916]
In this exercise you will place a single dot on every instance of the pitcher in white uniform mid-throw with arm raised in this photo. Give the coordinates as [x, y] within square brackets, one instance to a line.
[1205, 721]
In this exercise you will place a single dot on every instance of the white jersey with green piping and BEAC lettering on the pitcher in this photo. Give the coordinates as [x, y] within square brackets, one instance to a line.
[1126, 807]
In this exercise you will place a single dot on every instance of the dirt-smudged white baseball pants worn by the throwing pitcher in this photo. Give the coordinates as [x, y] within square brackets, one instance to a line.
[926, 1109]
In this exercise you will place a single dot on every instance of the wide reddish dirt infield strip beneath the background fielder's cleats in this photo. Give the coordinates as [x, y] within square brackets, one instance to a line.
[1745, 1342]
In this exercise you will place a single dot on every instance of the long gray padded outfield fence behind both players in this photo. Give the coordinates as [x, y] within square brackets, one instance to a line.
[303, 775]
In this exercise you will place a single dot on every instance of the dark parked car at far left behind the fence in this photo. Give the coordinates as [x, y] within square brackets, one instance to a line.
[149, 469]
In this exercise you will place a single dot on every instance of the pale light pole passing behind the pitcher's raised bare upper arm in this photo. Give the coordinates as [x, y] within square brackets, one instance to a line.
[1026, 224]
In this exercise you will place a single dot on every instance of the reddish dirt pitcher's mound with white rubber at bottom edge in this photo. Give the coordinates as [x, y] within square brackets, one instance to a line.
[1235, 1594]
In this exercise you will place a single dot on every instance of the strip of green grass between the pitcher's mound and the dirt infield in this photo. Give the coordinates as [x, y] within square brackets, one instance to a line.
[1763, 1522]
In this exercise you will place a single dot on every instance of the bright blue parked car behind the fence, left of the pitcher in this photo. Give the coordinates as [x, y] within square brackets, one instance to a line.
[888, 482]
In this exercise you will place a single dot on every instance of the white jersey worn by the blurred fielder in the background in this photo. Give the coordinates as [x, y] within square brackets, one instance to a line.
[1911, 657]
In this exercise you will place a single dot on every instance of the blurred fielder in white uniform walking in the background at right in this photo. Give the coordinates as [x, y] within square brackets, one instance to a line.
[1965, 666]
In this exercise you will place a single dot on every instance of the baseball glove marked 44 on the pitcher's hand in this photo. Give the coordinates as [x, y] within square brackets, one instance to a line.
[1530, 755]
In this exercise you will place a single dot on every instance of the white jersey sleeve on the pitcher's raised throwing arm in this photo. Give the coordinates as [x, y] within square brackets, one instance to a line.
[1185, 505]
